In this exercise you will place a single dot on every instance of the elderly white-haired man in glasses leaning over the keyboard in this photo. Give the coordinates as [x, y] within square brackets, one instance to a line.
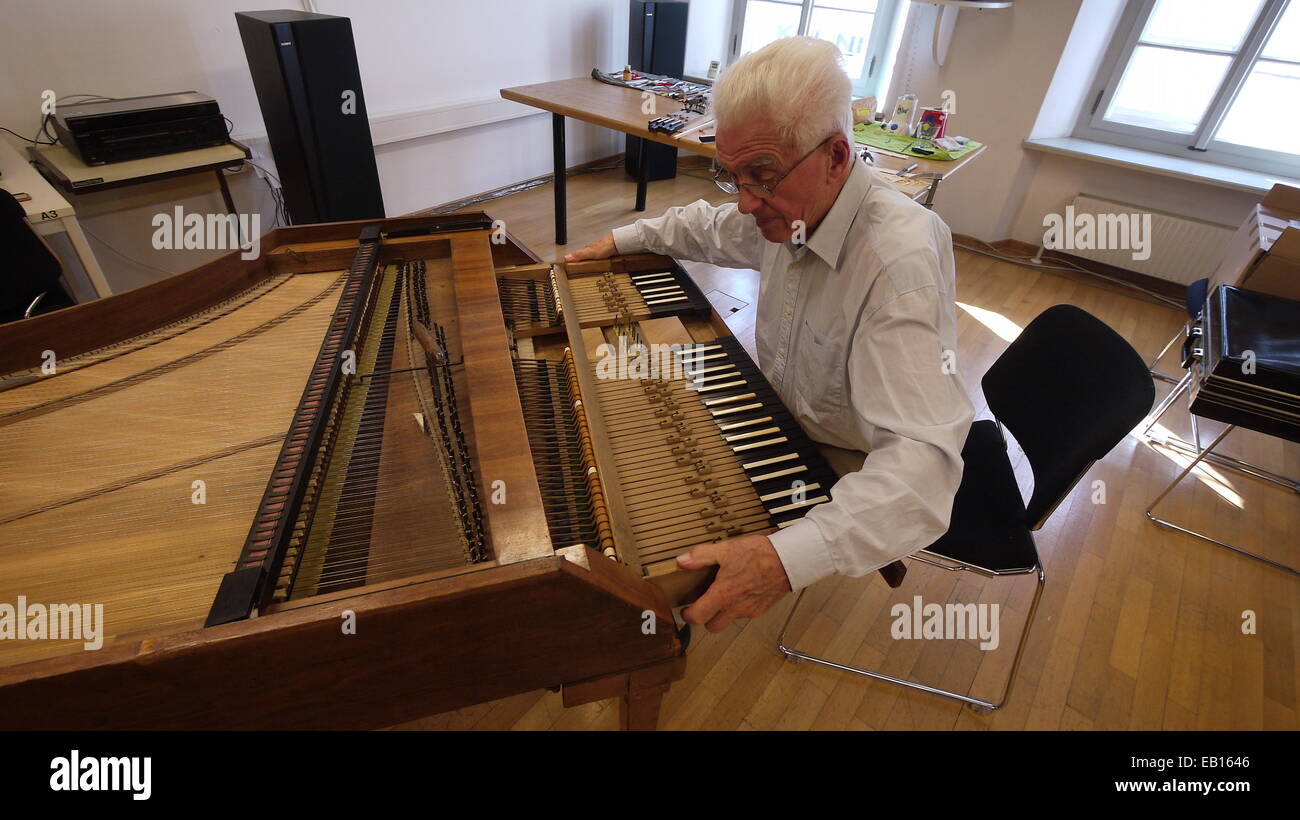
[856, 324]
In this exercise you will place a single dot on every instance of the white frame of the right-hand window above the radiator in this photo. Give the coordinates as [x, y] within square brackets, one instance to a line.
[1202, 145]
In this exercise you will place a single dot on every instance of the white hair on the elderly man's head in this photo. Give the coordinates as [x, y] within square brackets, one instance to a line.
[798, 83]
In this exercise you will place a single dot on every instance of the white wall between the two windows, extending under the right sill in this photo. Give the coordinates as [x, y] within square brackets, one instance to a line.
[1004, 68]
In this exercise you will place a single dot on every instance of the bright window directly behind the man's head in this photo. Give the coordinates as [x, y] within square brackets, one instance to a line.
[863, 29]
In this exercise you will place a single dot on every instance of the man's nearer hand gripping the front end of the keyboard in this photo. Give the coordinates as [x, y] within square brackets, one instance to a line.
[751, 579]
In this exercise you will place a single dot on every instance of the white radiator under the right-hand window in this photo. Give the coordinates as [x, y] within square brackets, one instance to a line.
[1160, 245]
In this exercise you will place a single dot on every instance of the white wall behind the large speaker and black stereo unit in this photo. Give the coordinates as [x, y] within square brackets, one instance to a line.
[424, 66]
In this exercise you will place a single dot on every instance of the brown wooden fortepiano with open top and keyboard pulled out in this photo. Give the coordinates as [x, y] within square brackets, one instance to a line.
[382, 471]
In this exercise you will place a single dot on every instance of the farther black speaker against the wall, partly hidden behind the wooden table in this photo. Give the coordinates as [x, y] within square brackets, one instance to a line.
[657, 44]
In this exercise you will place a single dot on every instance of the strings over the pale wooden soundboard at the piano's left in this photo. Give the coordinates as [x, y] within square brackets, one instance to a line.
[98, 488]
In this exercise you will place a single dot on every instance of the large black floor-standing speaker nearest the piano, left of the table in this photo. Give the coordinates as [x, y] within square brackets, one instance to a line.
[310, 90]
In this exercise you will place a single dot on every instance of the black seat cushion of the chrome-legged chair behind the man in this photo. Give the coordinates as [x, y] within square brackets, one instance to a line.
[989, 528]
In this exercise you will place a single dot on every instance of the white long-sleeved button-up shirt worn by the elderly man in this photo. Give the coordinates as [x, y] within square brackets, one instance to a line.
[857, 333]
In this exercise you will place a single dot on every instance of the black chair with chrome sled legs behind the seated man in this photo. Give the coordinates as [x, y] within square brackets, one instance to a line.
[1069, 389]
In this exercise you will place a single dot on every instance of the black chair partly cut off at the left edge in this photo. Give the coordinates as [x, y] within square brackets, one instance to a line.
[31, 271]
